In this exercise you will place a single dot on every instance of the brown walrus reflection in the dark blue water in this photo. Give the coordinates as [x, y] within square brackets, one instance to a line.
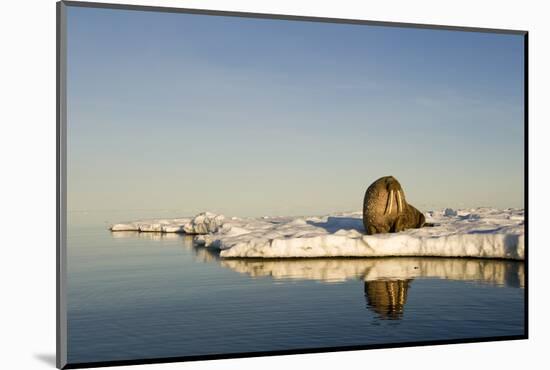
[387, 297]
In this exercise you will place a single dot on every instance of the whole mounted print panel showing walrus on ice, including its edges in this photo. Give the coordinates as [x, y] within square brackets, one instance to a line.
[234, 184]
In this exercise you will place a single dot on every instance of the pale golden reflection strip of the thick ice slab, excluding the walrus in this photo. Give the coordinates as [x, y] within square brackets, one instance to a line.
[330, 270]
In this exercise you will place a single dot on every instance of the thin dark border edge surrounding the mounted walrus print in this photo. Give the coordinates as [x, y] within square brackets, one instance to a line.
[61, 142]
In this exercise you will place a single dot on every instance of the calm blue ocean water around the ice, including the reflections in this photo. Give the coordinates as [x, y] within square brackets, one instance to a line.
[143, 295]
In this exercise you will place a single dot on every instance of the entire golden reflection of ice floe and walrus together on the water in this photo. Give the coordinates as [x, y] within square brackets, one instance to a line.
[386, 280]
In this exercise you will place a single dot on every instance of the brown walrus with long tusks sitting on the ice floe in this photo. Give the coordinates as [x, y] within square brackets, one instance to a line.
[385, 209]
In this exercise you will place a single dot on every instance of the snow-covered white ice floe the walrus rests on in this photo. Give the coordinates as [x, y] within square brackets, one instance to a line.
[477, 232]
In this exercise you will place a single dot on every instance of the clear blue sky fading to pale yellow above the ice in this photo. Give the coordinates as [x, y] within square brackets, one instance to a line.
[253, 116]
